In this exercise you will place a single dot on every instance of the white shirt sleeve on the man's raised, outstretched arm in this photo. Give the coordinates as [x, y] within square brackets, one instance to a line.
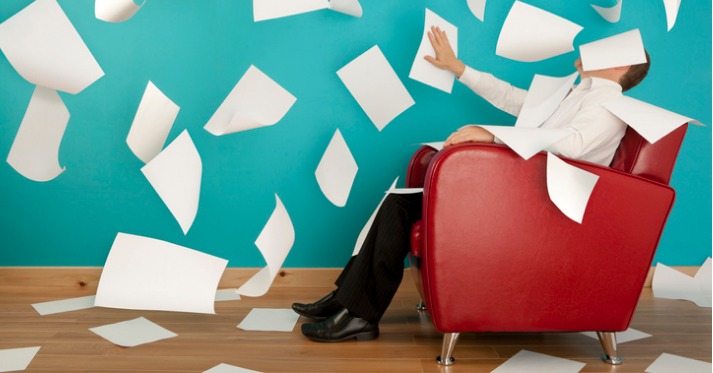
[499, 93]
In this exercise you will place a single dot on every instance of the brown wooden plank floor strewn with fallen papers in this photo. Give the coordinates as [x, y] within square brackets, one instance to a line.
[408, 342]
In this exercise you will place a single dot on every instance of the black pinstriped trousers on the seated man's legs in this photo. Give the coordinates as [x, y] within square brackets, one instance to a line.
[370, 279]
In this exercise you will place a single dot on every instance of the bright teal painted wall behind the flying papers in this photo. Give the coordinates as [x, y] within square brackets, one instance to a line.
[196, 51]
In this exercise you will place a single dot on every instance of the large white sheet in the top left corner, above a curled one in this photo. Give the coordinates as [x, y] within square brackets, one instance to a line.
[45, 49]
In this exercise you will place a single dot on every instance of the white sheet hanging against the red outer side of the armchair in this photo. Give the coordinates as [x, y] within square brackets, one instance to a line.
[569, 187]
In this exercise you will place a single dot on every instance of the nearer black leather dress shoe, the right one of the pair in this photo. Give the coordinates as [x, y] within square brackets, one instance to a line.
[341, 327]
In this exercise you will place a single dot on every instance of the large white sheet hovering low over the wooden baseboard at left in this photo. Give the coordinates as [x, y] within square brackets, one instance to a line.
[143, 273]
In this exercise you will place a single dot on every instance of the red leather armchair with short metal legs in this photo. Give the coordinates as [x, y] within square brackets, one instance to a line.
[492, 253]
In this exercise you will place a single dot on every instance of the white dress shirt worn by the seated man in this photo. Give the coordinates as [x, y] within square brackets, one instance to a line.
[597, 132]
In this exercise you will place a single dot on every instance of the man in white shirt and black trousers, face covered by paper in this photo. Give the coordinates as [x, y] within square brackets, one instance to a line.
[370, 279]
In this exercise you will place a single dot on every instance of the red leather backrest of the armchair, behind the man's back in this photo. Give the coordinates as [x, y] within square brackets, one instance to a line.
[655, 162]
